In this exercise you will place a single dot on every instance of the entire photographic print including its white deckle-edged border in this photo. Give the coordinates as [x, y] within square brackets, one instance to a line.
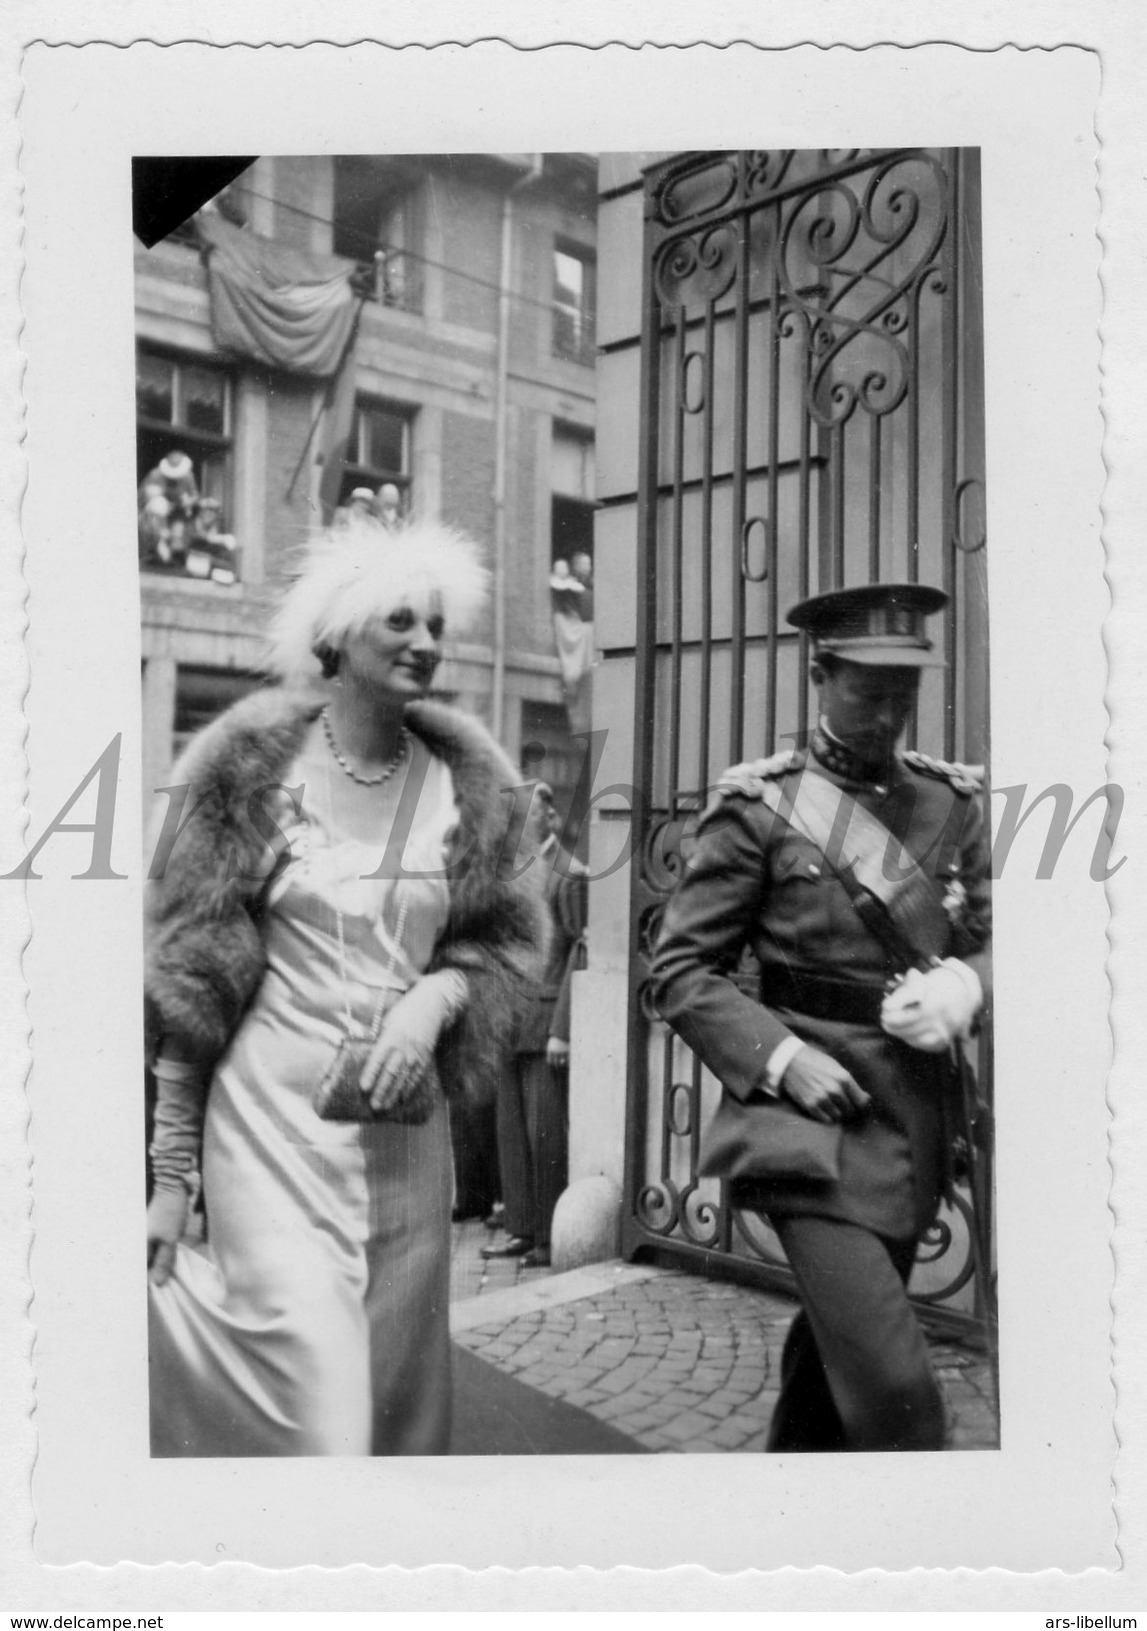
[570, 836]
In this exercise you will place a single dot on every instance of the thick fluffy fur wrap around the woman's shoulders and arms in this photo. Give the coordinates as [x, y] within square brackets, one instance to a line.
[205, 953]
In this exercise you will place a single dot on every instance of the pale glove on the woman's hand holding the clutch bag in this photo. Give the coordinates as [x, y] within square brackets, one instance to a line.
[397, 1076]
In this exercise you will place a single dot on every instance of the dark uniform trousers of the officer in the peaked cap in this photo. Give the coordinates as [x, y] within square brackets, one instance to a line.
[856, 1371]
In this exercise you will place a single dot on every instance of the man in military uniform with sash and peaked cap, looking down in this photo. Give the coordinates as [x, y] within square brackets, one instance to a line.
[859, 877]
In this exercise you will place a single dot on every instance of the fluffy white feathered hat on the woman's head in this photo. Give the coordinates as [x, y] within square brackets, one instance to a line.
[360, 572]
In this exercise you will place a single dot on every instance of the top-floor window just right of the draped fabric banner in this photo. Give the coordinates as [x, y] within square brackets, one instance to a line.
[378, 219]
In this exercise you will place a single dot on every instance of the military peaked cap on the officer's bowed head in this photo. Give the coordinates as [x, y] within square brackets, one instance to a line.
[880, 625]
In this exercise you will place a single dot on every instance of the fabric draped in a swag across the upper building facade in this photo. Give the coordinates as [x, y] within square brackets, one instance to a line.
[285, 307]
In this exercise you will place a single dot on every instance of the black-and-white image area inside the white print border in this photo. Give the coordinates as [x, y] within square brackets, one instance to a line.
[368, 474]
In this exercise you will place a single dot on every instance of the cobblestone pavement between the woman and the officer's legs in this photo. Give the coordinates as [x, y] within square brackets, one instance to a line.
[670, 1359]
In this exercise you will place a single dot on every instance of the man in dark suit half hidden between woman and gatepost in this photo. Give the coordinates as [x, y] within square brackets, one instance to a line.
[533, 1097]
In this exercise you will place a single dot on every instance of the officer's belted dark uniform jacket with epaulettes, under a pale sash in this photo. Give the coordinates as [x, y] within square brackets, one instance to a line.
[755, 883]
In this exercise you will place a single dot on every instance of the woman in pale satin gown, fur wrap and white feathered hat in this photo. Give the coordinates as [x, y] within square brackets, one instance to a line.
[316, 1319]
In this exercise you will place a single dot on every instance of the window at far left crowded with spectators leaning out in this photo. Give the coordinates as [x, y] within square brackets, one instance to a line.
[184, 466]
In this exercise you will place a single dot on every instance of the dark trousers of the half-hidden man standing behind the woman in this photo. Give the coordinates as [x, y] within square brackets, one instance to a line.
[533, 1144]
